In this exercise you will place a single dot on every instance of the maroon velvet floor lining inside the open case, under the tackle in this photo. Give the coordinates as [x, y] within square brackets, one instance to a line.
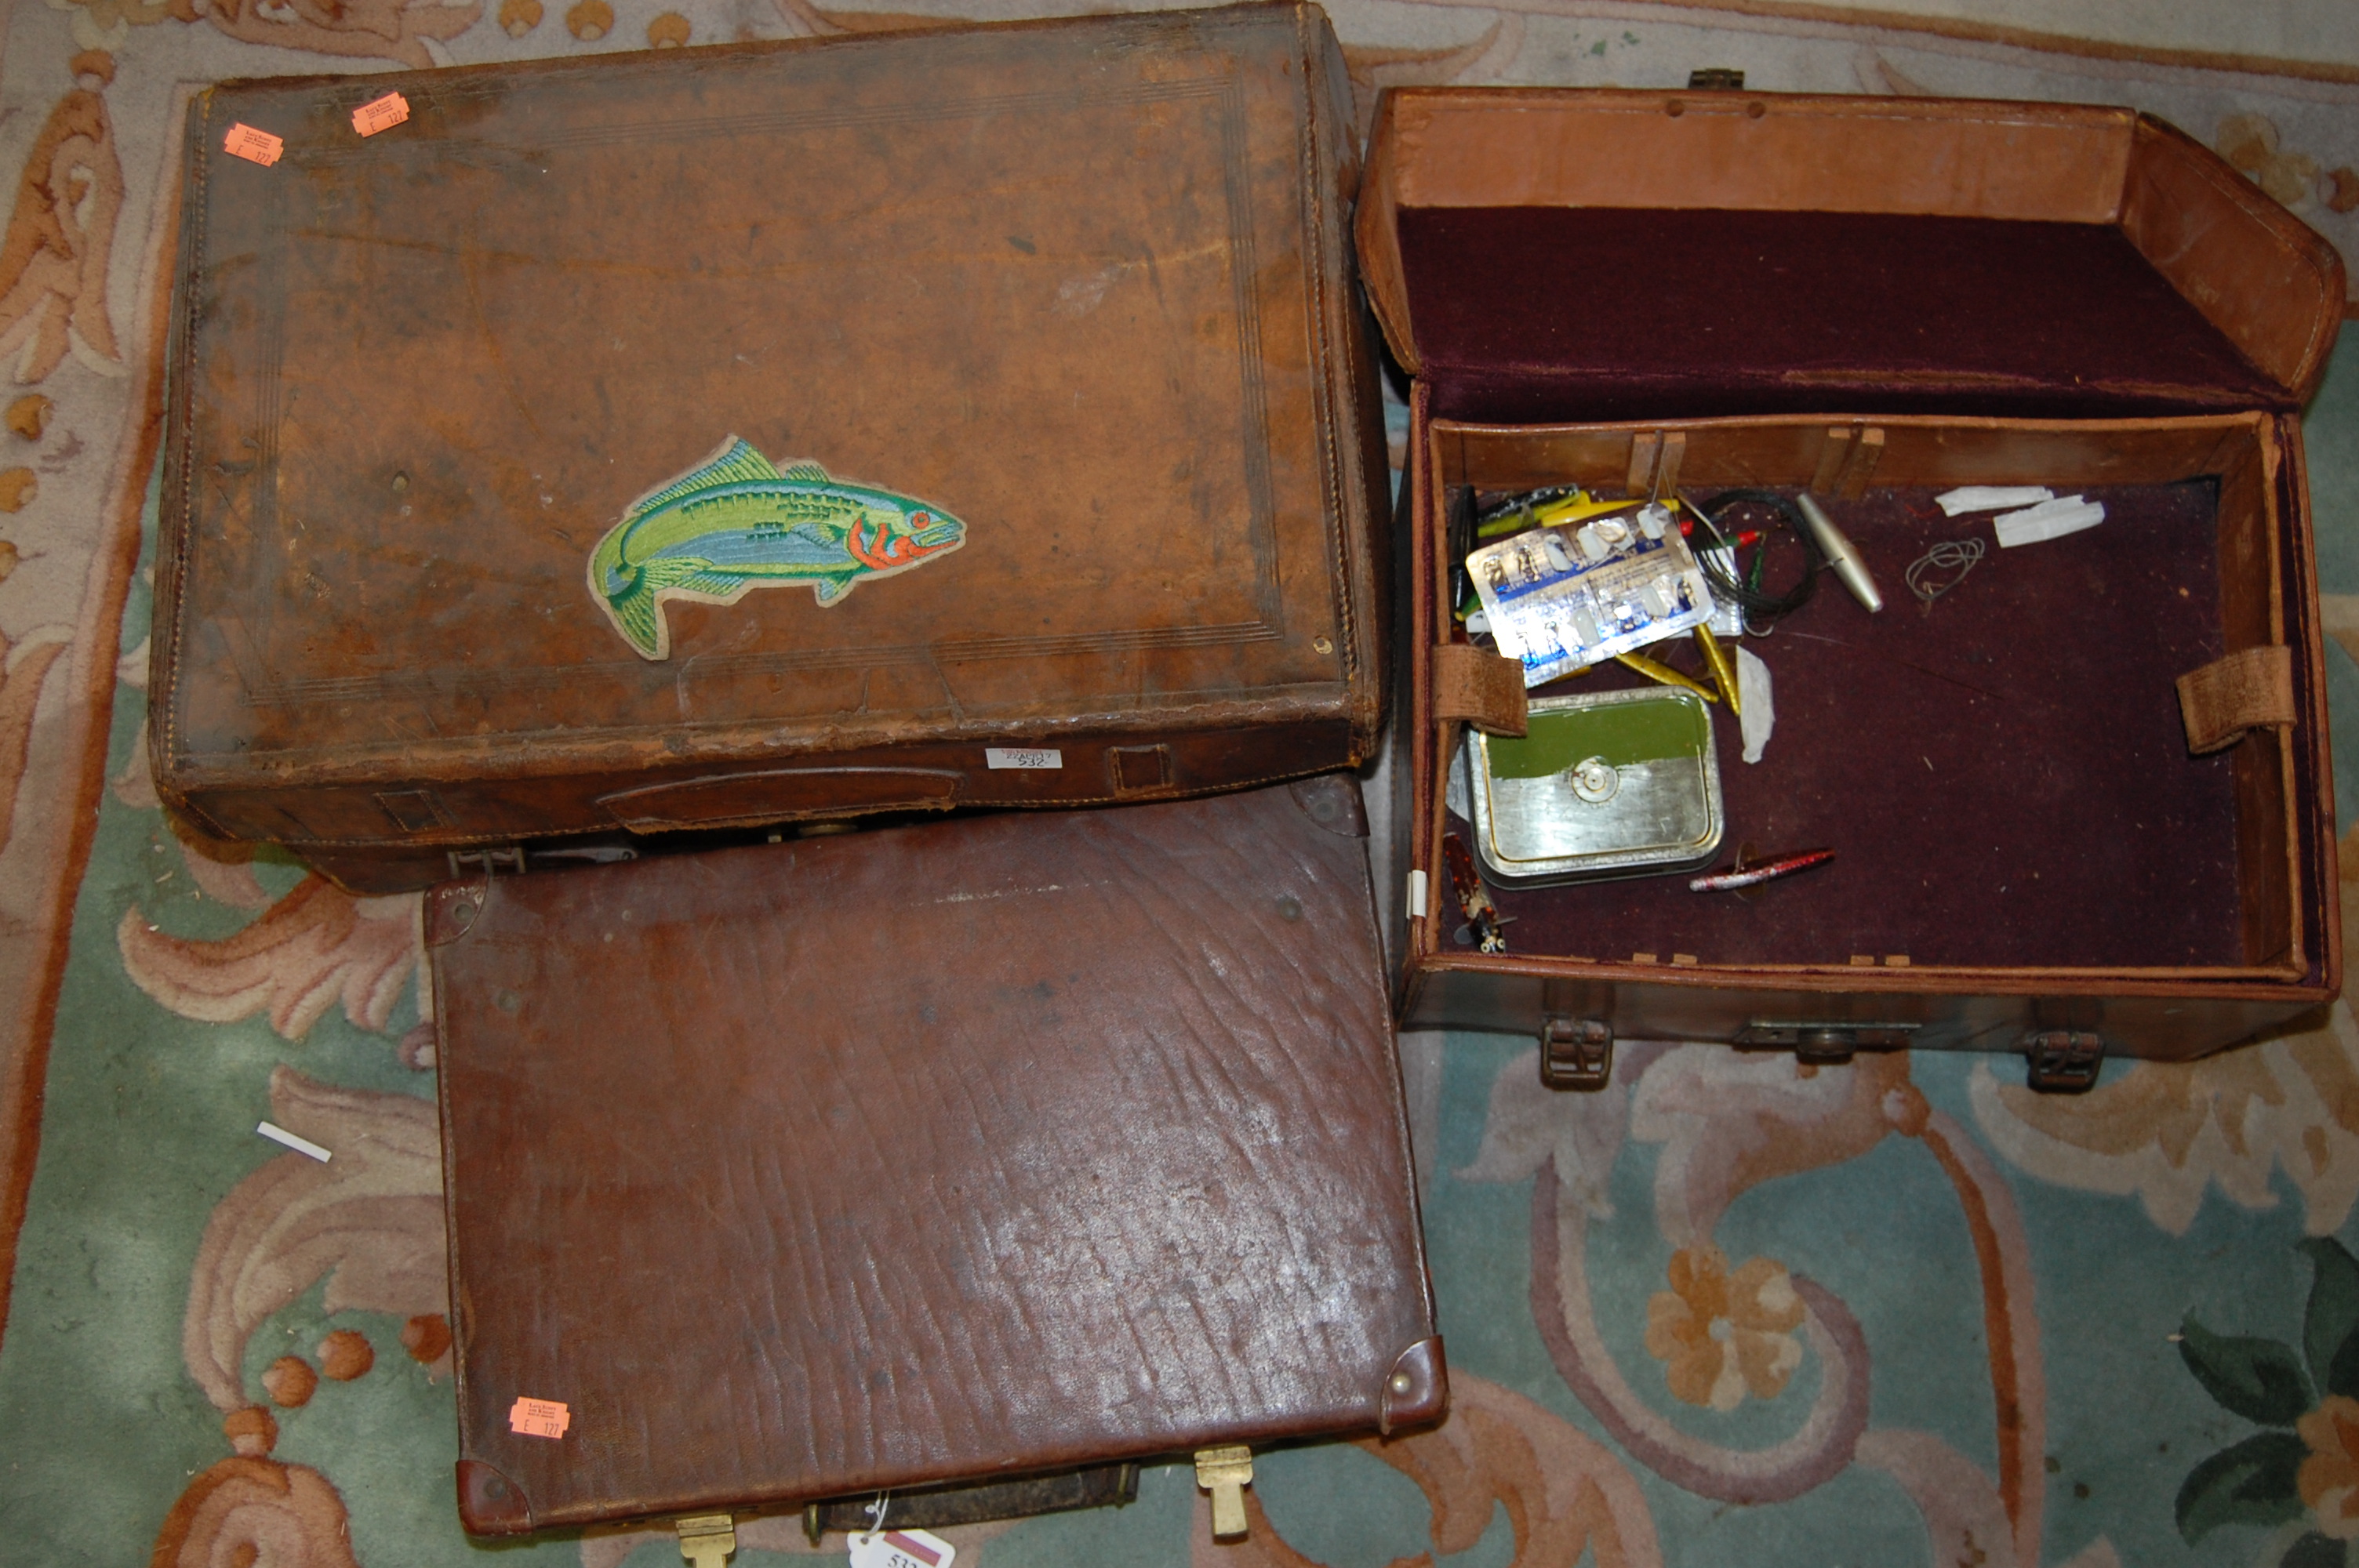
[2004, 779]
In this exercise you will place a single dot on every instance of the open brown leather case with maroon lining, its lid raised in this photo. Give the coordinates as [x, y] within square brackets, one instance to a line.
[1874, 301]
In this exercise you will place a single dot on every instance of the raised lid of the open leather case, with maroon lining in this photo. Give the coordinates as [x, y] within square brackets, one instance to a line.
[1615, 256]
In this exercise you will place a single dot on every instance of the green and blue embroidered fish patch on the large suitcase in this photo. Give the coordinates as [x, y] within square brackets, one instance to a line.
[735, 525]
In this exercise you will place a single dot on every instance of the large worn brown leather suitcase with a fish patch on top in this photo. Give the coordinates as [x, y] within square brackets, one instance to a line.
[768, 433]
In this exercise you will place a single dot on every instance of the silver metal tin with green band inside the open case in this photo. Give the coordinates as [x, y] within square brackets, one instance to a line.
[1615, 784]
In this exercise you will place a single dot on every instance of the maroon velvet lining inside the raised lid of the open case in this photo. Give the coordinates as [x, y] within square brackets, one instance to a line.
[1539, 315]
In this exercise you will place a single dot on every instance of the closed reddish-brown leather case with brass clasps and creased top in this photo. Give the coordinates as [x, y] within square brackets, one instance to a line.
[921, 1157]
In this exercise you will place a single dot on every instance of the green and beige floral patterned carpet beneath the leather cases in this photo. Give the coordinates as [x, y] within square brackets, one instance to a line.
[1733, 1310]
